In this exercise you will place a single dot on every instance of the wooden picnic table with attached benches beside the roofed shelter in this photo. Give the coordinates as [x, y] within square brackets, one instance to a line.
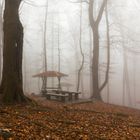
[63, 95]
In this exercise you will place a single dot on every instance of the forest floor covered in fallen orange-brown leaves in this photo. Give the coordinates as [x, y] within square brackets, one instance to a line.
[53, 120]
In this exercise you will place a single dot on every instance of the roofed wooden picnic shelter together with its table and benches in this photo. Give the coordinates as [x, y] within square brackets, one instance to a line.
[57, 93]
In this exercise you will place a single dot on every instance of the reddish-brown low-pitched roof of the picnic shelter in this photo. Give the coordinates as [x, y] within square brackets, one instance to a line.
[50, 74]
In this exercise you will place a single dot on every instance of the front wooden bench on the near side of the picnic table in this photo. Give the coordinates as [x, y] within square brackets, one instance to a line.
[62, 97]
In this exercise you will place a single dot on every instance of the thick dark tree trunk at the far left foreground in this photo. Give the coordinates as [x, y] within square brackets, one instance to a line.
[11, 86]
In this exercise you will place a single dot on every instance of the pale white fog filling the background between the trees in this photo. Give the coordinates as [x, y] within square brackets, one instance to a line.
[63, 31]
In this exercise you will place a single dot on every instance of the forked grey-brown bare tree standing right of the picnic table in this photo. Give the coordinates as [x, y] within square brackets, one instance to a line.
[94, 23]
